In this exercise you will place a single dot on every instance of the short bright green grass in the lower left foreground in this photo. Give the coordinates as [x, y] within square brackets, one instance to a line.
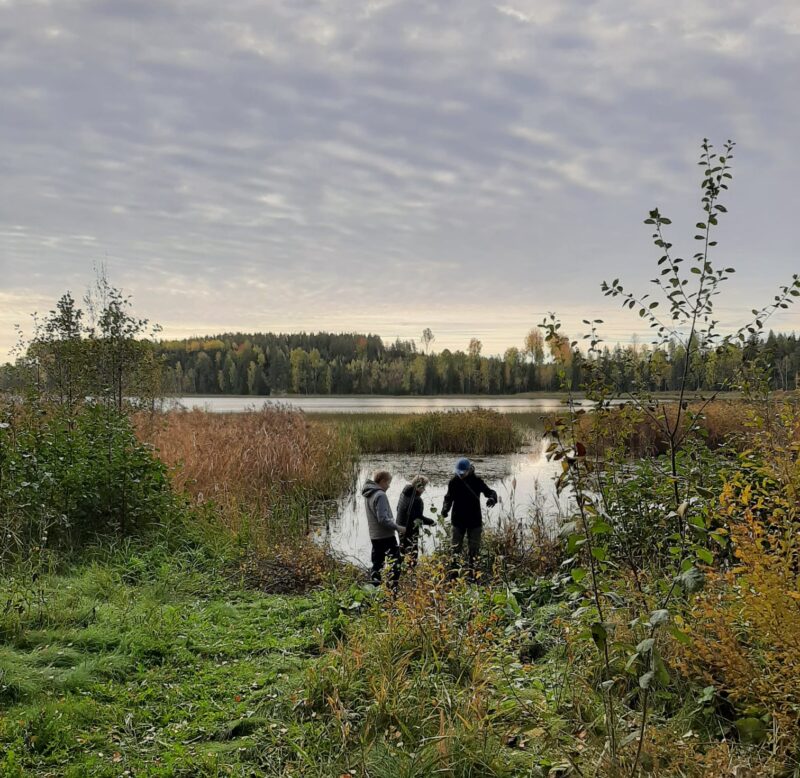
[182, 674]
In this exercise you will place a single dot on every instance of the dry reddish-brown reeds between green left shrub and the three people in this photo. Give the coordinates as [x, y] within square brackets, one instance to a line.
[272, 462]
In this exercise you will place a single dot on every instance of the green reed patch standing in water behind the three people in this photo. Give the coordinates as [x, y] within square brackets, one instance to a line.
[470, 432]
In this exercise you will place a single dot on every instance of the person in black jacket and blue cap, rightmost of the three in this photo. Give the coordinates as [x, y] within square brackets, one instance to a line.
[464, 498]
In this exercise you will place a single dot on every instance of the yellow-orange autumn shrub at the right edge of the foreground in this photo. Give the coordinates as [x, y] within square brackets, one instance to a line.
[745, 626]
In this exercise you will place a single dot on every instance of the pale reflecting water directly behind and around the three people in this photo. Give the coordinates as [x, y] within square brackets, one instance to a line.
[524, 483]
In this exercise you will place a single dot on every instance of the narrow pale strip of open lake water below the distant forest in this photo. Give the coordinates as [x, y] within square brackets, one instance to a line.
[373, 404]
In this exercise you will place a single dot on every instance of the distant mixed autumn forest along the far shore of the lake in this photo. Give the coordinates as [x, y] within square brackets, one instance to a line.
[328, 363]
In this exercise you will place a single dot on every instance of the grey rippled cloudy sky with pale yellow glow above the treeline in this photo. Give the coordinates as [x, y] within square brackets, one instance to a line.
[387, 165]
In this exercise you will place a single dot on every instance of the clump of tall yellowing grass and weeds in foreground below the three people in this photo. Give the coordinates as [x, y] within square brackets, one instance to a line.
[416, 688]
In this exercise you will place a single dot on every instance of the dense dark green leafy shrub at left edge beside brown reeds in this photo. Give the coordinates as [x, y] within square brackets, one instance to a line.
[67, 479]
